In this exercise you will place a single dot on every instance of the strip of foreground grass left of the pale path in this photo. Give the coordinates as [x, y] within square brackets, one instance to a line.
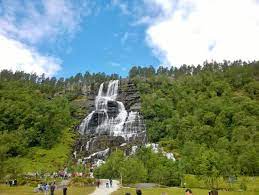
[27, 190]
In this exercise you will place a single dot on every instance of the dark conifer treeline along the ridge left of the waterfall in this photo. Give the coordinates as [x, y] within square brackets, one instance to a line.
[77, 84]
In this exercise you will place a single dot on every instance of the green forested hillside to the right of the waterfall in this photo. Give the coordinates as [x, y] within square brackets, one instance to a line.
[207, 118]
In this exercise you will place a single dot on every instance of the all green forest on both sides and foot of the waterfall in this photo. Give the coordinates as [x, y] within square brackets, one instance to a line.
[208, 116]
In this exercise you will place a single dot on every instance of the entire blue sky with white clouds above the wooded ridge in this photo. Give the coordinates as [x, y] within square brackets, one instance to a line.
[64, 37]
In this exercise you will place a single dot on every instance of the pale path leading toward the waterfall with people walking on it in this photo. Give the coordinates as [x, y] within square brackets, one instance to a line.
[102, 190]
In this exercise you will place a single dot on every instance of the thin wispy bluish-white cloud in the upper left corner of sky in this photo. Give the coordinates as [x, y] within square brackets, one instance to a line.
[36, 21]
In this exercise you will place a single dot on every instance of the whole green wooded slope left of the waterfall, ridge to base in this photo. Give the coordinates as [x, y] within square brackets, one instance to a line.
[37, 118]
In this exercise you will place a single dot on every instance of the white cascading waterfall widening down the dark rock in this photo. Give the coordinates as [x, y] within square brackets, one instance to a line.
[110, 116]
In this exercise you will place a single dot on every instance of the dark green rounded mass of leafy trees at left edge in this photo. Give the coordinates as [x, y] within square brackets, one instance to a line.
[29, 119]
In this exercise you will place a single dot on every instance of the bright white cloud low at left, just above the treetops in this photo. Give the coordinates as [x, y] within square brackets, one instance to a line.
[17, 56]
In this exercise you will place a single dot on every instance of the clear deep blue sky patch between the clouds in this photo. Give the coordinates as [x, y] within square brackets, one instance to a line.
[107, 42]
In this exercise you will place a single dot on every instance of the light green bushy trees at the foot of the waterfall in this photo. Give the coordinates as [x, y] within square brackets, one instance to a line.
[145, 166]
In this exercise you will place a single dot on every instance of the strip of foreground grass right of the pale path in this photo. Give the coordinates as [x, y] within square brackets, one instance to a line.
[176, 191]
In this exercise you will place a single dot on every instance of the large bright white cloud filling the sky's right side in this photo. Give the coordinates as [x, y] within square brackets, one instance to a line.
[190, 32]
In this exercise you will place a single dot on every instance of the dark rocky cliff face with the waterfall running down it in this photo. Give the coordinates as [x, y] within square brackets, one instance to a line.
[114, 121]
